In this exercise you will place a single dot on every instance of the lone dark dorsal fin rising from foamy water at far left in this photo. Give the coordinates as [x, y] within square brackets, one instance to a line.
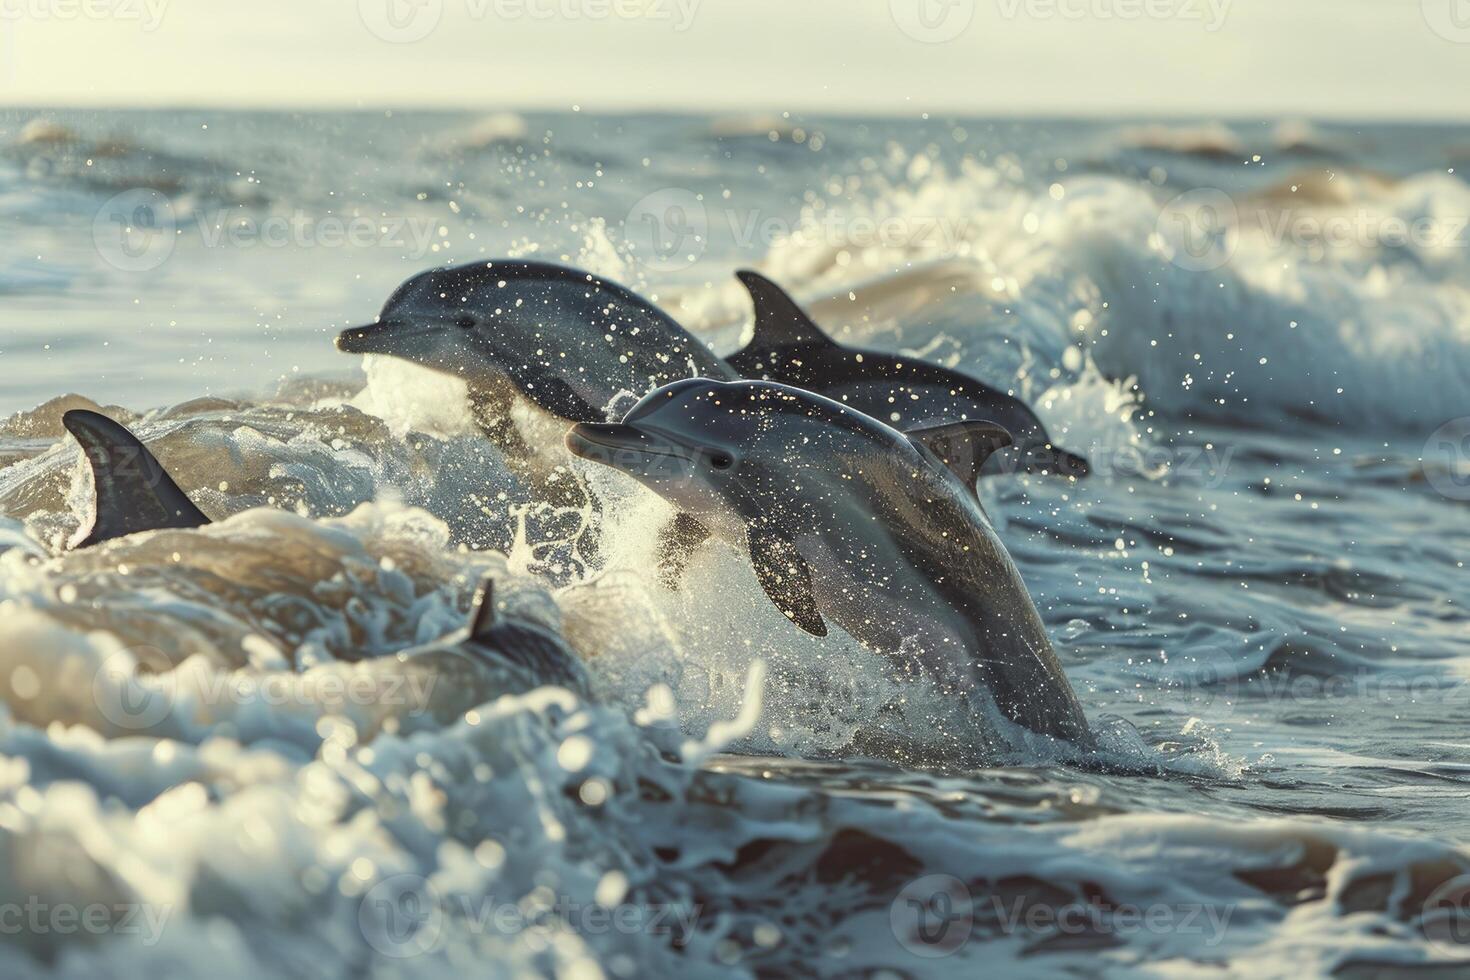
[135, 493]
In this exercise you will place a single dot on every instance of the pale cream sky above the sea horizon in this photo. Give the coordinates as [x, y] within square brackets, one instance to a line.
[1255, 58]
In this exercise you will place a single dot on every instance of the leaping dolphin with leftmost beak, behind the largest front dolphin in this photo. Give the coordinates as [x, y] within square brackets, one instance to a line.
[570, 342]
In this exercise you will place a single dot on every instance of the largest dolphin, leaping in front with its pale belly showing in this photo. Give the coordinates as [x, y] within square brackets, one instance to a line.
[845, 518]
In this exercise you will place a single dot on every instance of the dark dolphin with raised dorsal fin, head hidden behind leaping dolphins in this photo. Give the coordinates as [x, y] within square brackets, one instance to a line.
[905, 392]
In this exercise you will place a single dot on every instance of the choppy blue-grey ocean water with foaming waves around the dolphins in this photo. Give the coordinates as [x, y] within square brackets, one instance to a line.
[215, 757]
